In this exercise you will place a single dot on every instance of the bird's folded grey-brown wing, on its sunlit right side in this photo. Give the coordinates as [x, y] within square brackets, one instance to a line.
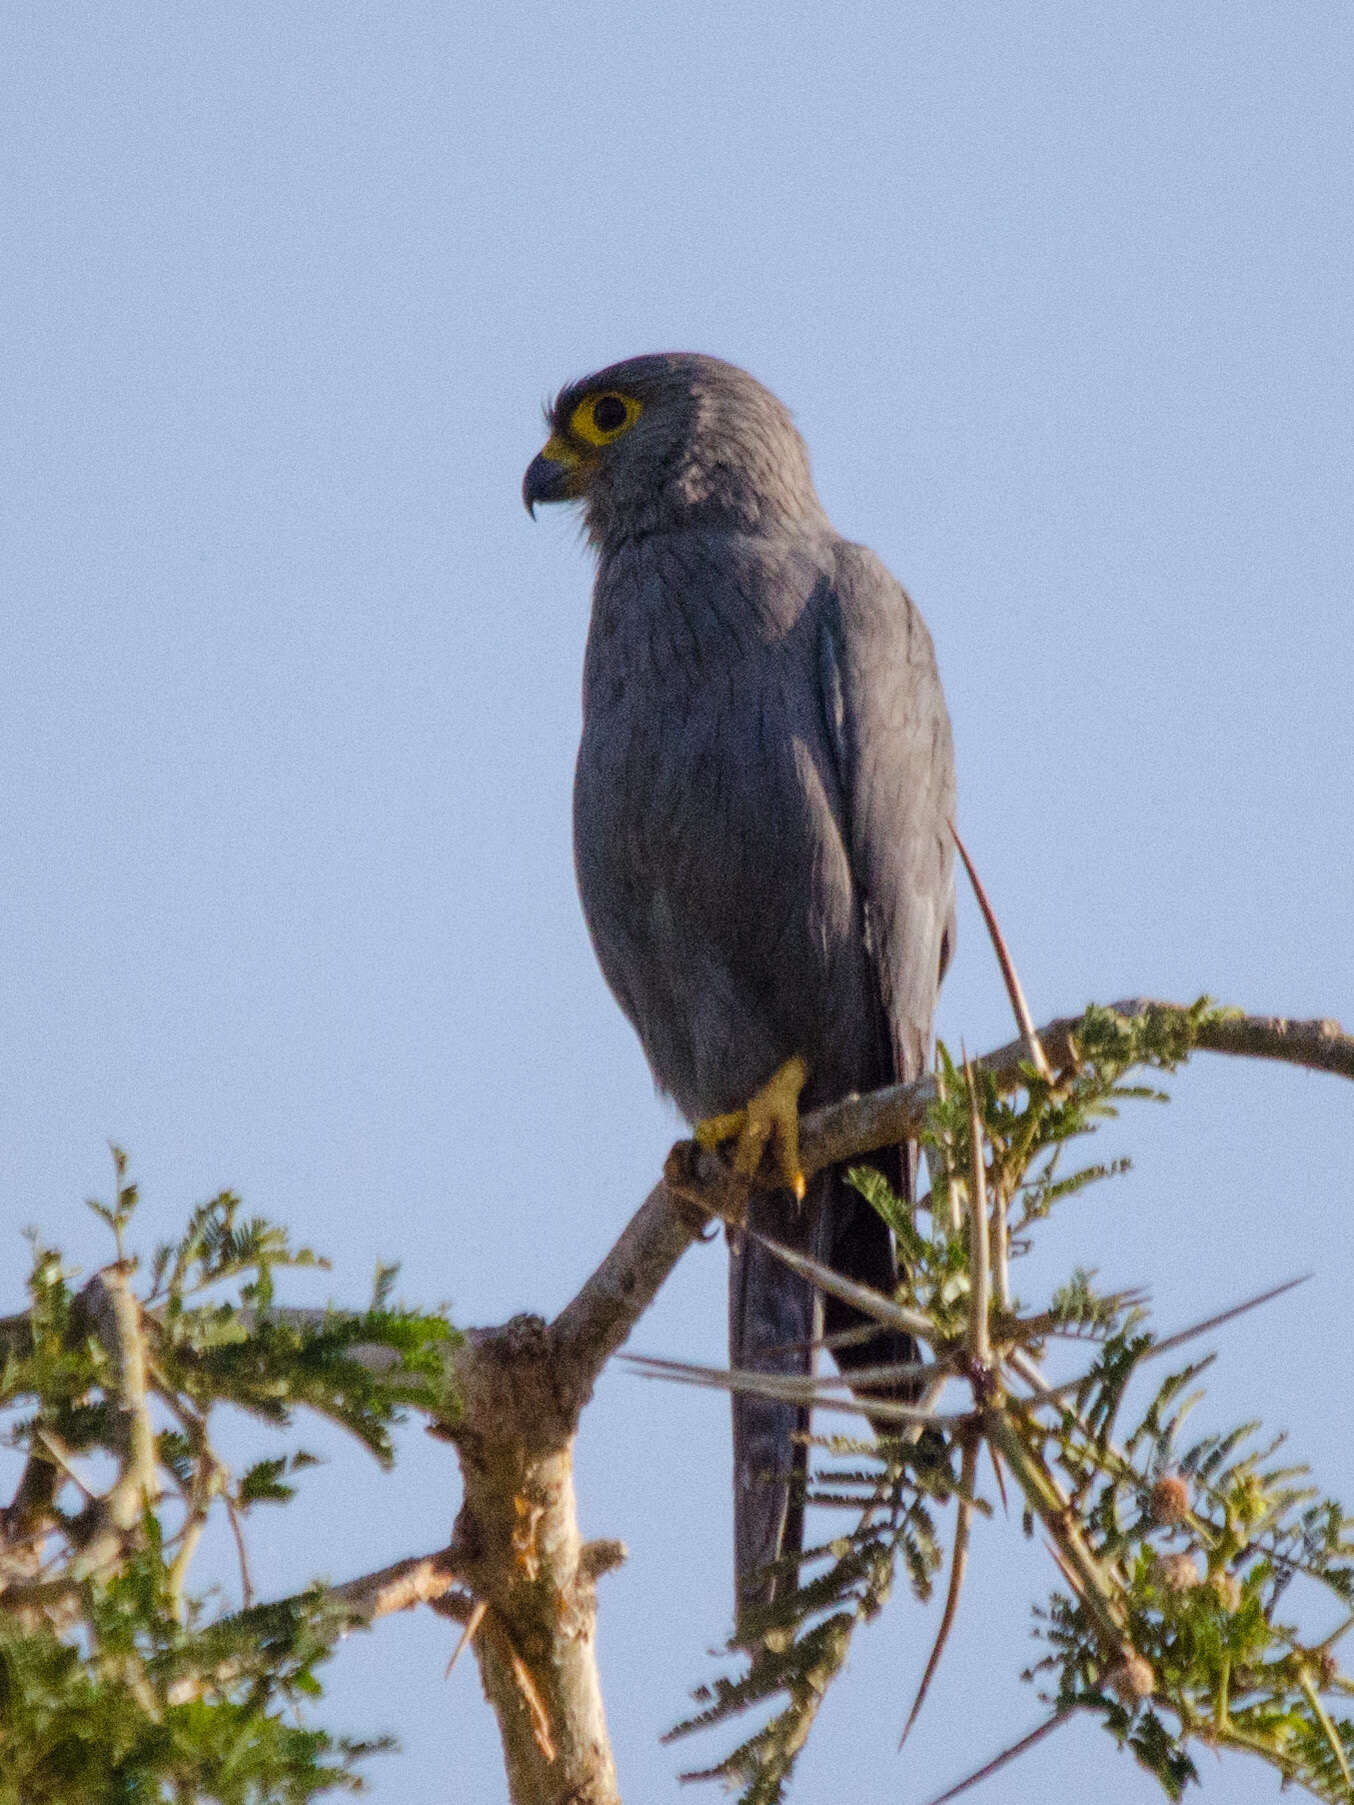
[891, 741]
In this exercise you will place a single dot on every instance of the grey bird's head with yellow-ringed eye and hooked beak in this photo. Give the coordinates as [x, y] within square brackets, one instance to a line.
[674, 441]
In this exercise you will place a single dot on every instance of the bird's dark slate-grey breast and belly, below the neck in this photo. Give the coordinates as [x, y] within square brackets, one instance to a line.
[709, 846]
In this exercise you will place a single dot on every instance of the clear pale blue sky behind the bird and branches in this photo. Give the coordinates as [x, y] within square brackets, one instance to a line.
[1061, 297]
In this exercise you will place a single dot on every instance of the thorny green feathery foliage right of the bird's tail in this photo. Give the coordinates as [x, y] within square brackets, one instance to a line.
[1174, 1559]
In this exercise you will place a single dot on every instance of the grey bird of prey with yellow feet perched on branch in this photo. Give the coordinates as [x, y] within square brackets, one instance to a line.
[763, 842]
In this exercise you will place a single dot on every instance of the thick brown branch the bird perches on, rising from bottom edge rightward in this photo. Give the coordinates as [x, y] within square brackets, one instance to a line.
[523, 1389]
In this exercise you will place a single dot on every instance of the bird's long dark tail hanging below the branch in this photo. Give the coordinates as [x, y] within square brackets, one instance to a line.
[774, 1320]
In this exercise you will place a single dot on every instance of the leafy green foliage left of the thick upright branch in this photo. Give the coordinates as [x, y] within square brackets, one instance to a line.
[116, 1680]
